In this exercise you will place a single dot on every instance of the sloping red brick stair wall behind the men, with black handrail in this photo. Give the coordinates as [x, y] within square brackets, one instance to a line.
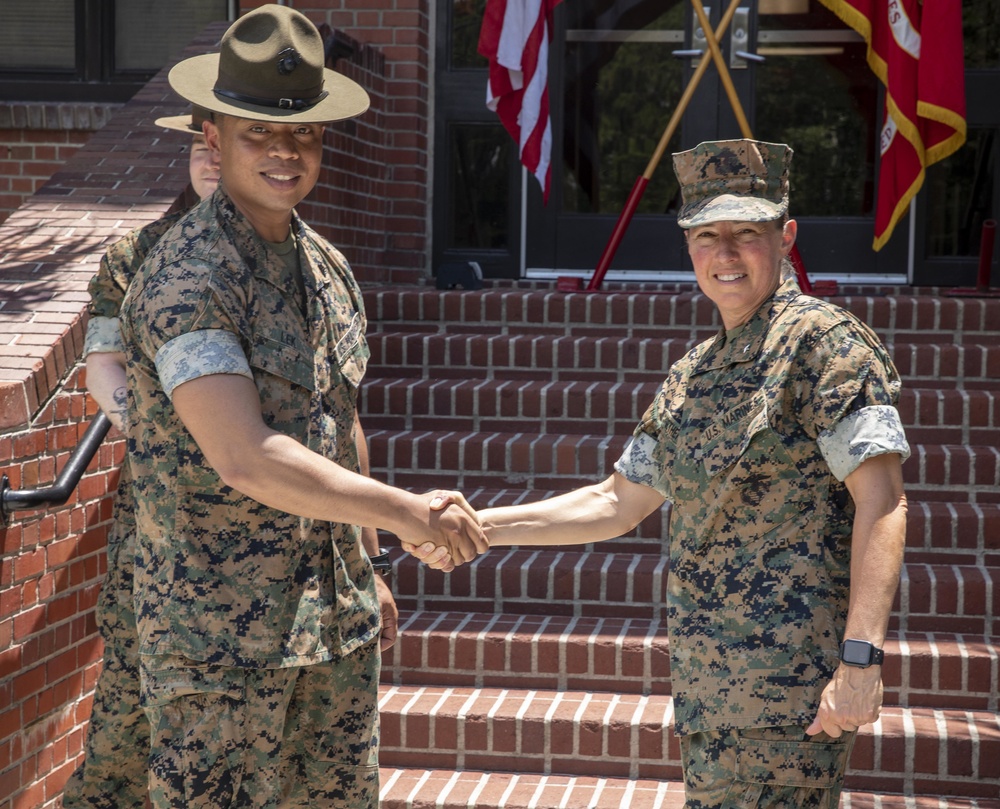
[52, 561]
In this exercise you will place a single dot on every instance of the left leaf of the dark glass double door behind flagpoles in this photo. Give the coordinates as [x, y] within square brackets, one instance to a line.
[615, 83]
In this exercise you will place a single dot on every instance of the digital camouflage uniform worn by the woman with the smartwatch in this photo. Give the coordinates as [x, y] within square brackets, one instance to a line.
[750, 438]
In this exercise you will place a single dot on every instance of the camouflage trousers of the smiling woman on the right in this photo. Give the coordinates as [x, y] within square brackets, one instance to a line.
[764, 768]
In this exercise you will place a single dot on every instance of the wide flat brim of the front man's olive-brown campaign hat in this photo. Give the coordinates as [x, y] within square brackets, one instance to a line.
[194, 79]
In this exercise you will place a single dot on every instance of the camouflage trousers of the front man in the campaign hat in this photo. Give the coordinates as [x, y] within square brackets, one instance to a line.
[255, 738]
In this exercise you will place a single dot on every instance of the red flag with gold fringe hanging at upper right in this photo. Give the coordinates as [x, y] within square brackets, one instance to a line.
[916, 50]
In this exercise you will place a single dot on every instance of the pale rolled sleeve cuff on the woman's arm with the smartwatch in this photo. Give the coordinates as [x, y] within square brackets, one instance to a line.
[864, 434]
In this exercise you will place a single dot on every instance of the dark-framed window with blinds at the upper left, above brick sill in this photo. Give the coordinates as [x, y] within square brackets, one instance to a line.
[94, 50]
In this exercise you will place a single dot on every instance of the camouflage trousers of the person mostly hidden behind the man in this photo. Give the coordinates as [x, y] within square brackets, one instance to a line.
[113, 774]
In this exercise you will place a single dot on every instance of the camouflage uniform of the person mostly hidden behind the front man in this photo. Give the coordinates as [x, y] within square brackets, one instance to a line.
[114, 770]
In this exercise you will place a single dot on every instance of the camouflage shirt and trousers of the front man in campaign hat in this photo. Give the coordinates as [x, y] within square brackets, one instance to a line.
[253, 623]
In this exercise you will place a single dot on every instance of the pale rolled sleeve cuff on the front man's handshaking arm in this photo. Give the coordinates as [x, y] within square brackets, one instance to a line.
[200, 353]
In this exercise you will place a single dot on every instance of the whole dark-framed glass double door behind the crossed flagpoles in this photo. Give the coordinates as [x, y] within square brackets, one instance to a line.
[801, 78]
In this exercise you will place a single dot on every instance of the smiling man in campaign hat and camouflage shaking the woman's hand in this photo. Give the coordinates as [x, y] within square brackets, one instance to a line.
[259, 615]
